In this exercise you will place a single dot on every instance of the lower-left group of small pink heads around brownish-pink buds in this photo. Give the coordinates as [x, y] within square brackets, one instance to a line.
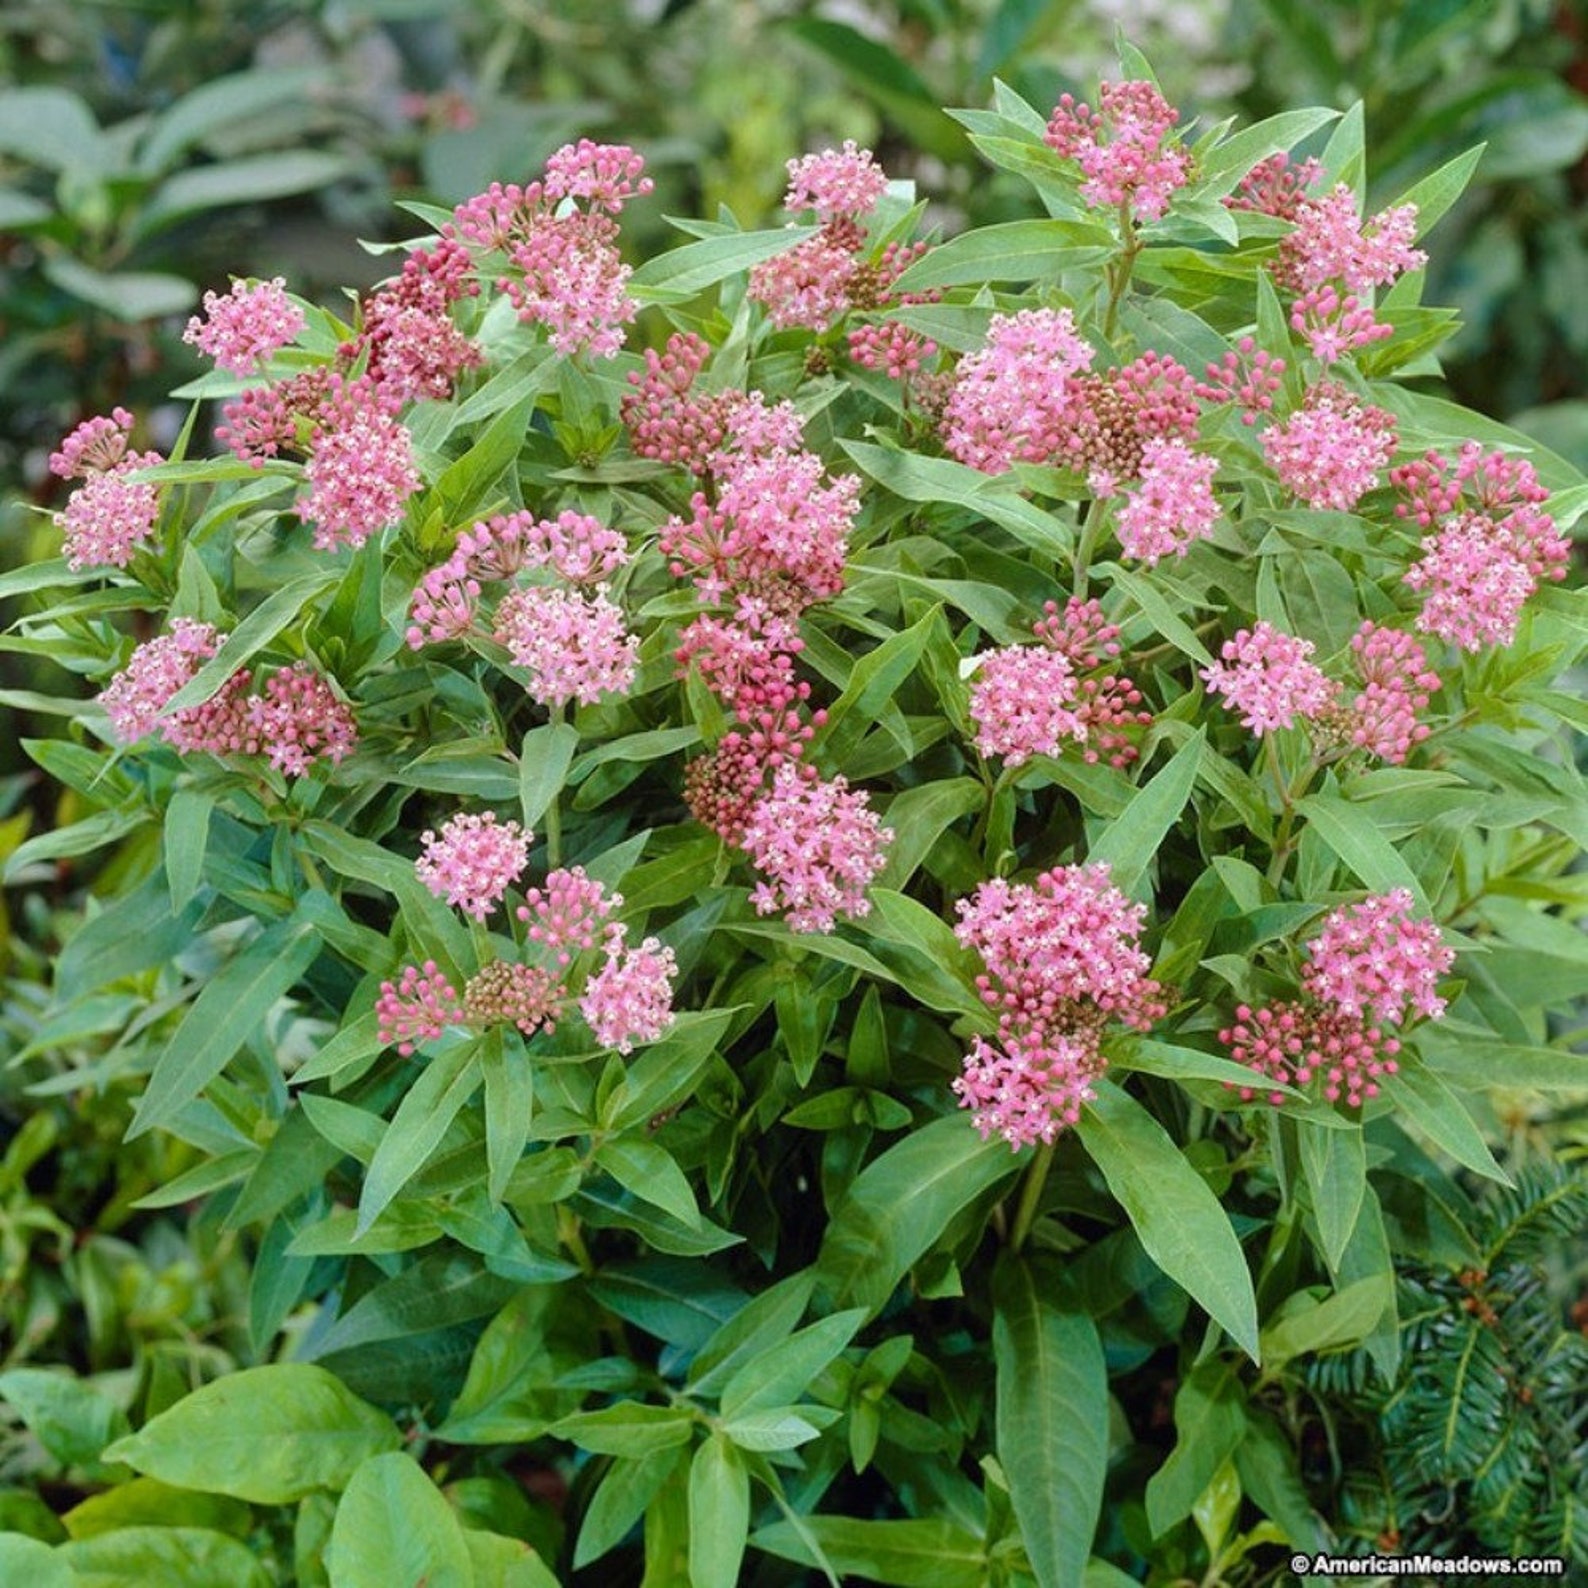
[626, 1000]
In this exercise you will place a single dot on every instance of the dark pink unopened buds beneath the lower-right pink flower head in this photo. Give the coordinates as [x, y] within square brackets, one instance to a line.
[1333, 1055]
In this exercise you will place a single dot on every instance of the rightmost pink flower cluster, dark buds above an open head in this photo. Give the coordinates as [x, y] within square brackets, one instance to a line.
[1490, 544]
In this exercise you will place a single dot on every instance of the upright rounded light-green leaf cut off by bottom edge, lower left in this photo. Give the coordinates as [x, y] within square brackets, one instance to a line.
[395, 1530]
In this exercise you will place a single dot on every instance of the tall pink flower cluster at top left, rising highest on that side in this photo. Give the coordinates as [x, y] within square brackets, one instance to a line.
[565, 268]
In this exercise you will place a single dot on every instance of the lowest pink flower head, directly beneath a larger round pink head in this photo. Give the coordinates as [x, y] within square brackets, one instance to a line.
[1033, 1087]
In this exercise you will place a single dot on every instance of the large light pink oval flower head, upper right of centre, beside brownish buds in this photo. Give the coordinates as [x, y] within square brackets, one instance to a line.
[1014, 399]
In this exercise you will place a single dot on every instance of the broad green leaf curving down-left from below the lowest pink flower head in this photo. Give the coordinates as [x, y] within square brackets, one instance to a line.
[901, 1204]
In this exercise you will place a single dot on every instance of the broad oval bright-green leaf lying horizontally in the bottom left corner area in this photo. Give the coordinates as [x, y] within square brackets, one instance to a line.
[263, 1435]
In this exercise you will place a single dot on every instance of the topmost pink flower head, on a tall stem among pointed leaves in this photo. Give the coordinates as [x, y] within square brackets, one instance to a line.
[1124, 148]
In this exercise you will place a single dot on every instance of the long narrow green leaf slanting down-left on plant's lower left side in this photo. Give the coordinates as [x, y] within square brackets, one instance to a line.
[225, 1016]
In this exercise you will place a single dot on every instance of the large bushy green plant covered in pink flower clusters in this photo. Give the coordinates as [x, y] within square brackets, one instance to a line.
[1003, 795]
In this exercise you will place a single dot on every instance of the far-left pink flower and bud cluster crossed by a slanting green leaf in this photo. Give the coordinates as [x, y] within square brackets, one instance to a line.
[295, 719]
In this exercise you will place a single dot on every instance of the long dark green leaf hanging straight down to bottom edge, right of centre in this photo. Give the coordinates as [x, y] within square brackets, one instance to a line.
[1052, 1420]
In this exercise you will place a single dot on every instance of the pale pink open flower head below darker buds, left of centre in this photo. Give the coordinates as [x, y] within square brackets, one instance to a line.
[574, 647]
